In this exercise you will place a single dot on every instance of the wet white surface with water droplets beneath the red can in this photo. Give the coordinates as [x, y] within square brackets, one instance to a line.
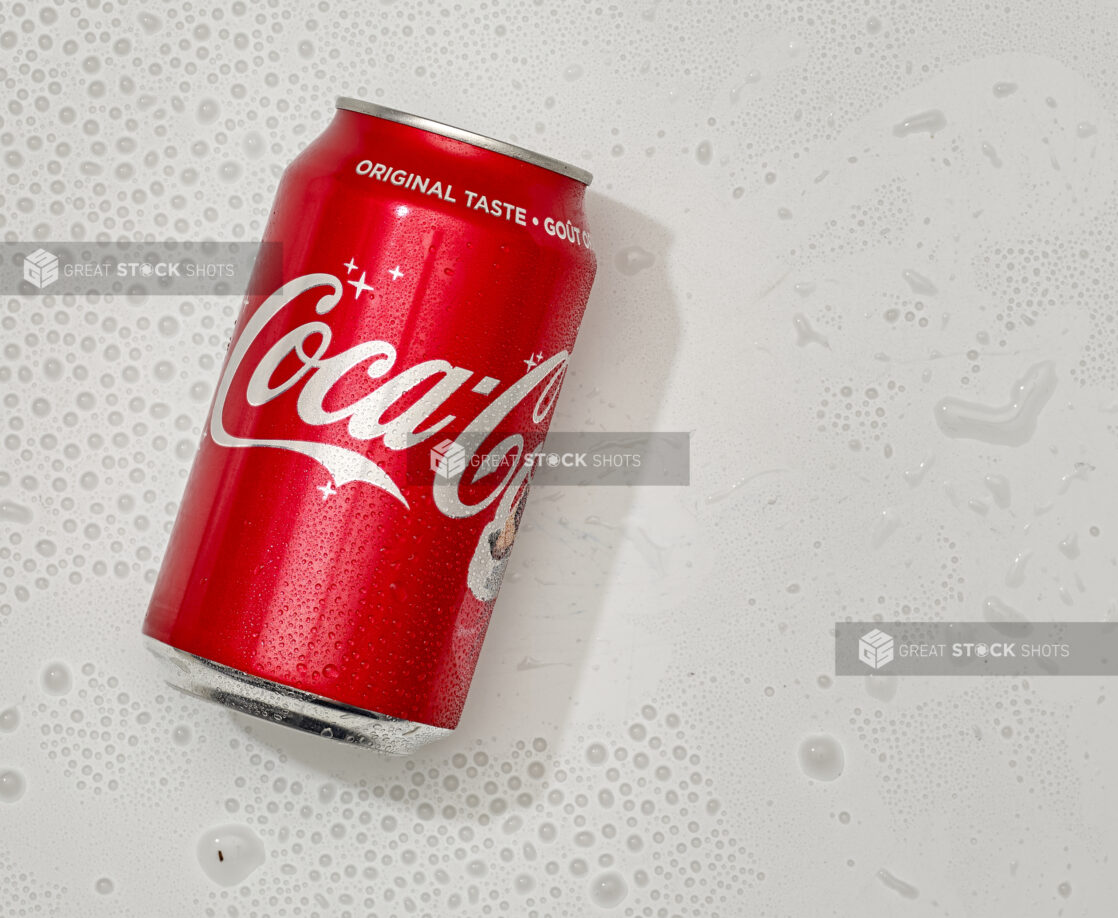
[750, 153]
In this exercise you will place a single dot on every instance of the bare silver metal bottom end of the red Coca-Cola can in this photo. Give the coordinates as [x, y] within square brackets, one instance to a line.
[290, 707]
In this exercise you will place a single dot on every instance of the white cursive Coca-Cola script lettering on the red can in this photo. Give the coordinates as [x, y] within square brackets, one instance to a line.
[365, 419]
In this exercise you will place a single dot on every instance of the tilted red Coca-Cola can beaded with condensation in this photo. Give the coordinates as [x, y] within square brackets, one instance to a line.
[339, 547]
